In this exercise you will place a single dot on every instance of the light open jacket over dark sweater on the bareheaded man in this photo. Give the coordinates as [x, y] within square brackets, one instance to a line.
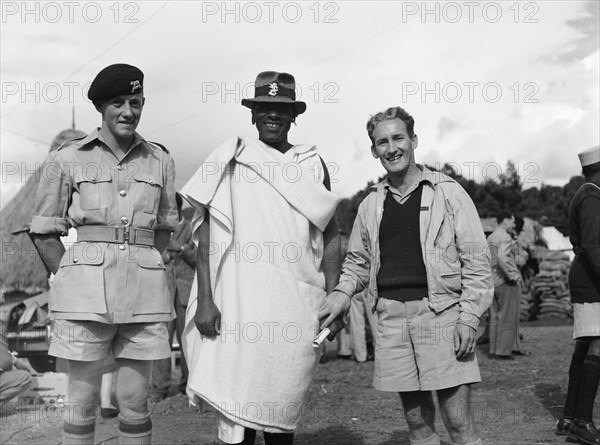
[452, 242]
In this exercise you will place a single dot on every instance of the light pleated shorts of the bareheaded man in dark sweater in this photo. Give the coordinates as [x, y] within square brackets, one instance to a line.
[415, 348]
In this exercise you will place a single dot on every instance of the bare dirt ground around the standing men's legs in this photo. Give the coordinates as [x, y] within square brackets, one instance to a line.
[516, 403]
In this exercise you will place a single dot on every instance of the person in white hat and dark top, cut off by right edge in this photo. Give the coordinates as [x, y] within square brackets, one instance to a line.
[584, 284]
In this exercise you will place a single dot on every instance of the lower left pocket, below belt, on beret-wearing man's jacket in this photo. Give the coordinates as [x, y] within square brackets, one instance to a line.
[79, 283]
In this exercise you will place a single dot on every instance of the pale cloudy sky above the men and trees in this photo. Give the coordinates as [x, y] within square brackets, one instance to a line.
[487, 82]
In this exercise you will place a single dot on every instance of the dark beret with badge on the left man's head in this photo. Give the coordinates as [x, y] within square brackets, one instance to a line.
[116, 80]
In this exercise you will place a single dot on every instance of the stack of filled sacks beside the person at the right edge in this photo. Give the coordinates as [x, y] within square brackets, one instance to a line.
[550, 287]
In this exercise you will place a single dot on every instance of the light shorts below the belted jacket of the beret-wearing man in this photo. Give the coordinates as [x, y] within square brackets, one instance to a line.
[91, 340]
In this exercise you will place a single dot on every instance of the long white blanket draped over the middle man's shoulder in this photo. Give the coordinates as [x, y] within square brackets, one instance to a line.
[267, 214]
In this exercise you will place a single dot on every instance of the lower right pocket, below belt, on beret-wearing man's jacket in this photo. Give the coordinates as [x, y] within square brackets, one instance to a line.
[153, 296]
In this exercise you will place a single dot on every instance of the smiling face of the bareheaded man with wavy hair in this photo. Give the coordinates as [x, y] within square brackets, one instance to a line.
[394, 148]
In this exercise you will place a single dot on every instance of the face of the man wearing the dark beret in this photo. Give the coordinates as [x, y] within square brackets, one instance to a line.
[121, 115]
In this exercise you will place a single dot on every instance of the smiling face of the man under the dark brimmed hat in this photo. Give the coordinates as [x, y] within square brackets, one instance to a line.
[273, 121]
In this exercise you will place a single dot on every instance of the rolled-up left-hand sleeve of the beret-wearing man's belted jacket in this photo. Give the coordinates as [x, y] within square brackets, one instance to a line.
[52, 199]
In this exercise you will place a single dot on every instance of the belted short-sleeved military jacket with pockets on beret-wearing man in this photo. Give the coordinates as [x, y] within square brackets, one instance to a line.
[113, 274]
